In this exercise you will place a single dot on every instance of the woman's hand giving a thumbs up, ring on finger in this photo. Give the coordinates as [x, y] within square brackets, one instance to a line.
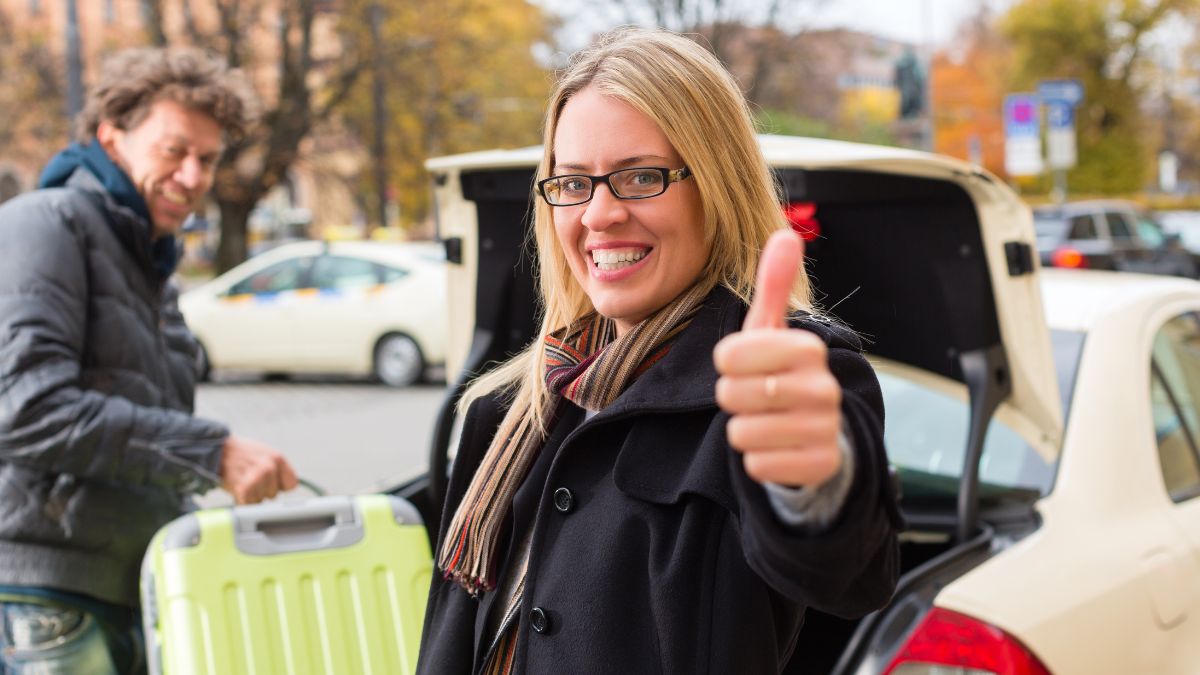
[776, 383]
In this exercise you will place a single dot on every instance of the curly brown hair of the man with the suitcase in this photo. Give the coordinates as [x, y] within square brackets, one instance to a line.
[134, 80]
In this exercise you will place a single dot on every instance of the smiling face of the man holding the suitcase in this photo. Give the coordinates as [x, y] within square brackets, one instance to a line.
[171, 157]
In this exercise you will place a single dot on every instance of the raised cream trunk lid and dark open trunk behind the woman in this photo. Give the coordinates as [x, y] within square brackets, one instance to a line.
[928, 260]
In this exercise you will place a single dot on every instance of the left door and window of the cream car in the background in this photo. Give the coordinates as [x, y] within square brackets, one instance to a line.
[253, 328]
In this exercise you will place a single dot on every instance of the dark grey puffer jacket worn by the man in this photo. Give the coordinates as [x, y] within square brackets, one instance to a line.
[98, 444]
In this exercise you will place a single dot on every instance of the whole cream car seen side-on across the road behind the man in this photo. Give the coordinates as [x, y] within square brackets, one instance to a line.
[349, 308]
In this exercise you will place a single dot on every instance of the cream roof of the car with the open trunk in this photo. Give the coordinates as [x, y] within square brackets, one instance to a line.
[1079, 300]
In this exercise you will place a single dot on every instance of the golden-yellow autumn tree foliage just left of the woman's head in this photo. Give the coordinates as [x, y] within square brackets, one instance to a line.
[459, 76]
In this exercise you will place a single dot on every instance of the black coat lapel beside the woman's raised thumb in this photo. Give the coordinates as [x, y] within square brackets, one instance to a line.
[687, 378]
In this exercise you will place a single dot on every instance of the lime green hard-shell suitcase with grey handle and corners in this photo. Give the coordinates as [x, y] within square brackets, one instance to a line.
[331, 587]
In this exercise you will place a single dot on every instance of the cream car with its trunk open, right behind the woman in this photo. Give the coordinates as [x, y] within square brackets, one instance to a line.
[1031, 547]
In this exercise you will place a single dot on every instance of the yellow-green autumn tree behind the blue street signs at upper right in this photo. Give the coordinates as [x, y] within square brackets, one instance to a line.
[1102, 44]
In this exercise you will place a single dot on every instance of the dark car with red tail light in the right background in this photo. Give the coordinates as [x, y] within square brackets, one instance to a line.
[1109, 235]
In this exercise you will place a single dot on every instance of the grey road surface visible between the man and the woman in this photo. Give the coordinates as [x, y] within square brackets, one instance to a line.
[347, 438]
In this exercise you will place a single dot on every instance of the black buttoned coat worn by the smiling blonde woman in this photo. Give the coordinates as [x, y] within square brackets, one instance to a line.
[652, 551]
